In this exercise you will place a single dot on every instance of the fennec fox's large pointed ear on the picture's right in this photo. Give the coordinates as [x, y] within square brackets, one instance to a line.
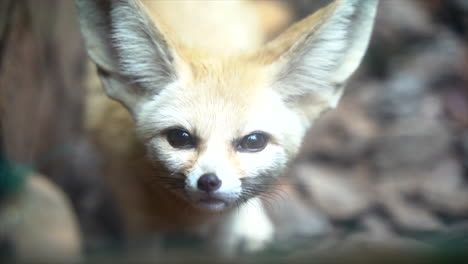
[312, 60]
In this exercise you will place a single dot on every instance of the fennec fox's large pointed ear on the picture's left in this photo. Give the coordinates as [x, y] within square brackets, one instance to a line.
[132, 53]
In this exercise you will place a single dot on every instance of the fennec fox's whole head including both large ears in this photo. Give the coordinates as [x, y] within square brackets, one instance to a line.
[224, 126]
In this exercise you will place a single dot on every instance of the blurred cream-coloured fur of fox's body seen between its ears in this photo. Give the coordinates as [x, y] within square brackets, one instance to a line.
[198, 26]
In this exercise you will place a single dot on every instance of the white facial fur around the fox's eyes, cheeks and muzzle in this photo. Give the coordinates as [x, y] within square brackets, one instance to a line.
[268, 115]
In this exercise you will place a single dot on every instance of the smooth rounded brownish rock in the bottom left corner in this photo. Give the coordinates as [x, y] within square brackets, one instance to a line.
[40, 224]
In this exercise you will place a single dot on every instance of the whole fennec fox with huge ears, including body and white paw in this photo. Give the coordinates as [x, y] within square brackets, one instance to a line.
[216, 114]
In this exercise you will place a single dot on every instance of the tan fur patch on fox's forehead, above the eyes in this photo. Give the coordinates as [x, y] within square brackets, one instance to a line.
[220, 89]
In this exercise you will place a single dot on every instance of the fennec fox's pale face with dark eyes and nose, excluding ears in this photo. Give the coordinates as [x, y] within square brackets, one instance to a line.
[221, 137]
